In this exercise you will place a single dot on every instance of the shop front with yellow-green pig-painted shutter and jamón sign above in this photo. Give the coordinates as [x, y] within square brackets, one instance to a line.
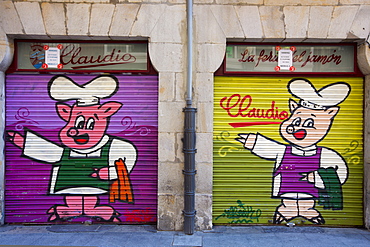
[288, 135]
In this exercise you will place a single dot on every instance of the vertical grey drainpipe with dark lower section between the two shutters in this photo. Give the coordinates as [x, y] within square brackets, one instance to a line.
[189, 134]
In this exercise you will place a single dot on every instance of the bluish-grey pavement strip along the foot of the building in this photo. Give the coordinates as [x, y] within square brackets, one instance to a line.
[144, 235]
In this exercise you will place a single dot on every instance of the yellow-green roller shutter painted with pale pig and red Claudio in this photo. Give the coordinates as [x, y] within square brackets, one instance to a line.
[265, 183]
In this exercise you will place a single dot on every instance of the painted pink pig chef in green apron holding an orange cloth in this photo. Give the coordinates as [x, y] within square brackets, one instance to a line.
[90, 162]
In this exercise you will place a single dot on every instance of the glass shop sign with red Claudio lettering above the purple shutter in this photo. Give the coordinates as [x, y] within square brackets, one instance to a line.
[82, 56]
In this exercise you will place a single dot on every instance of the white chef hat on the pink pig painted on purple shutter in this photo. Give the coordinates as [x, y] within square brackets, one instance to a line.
[62, 88]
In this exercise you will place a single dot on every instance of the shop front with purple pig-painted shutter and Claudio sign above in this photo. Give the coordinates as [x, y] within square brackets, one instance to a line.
[82, 133]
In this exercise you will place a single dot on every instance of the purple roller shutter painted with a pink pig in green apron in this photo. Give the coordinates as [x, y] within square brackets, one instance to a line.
[129, 152]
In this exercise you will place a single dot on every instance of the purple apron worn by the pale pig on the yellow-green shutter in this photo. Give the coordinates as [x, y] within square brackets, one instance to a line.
[291, 168]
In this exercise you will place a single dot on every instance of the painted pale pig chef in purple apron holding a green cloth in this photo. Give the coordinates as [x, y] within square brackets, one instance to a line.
[301, 165]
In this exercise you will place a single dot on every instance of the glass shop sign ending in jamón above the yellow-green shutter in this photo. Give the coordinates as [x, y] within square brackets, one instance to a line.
[270, 58]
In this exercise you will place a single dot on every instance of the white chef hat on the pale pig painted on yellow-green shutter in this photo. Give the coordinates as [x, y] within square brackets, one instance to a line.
[330, 95]
